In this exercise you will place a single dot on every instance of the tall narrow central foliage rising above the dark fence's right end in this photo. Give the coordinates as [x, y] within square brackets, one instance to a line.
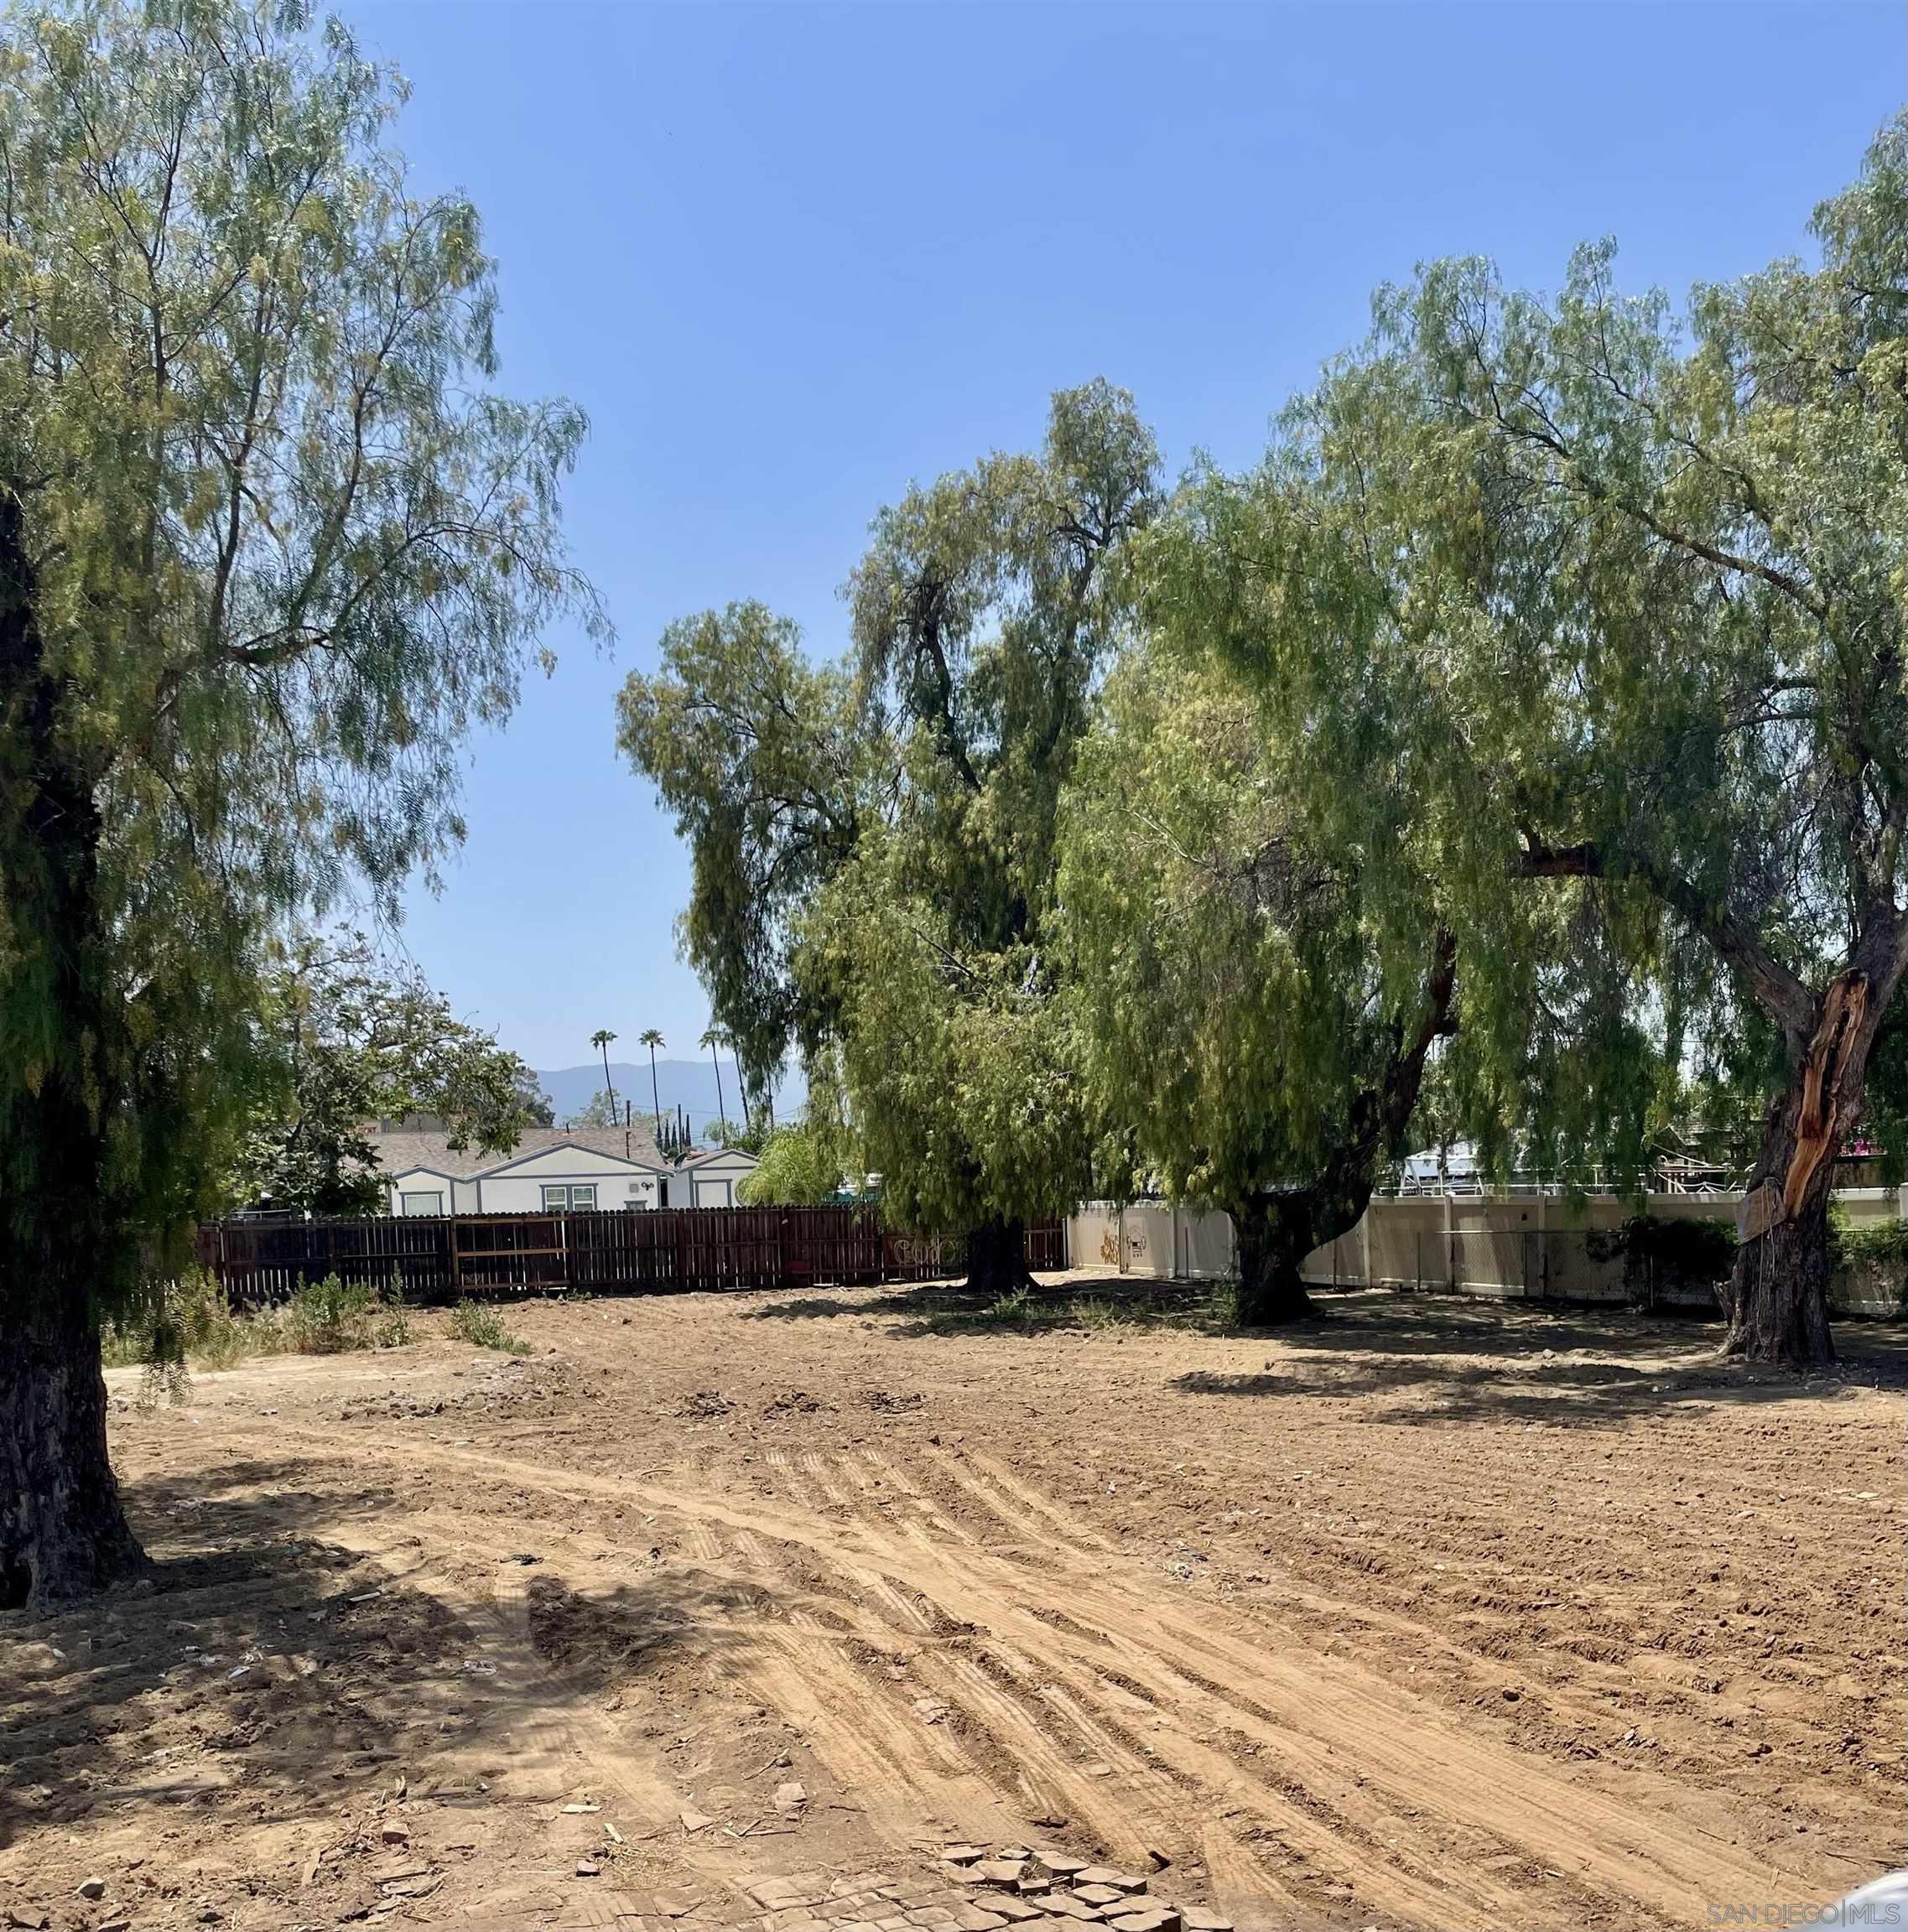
[985, 611]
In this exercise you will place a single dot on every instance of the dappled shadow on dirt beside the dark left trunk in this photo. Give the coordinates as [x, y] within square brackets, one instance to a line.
[266, 1670]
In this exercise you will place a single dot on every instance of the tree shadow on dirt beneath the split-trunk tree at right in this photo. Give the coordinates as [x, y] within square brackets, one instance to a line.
[1455, 1361]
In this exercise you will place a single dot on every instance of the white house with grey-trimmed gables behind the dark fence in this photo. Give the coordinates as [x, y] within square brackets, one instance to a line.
[554, 1170]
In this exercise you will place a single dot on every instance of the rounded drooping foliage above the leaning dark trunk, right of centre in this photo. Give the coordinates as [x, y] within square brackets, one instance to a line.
[1230, 992]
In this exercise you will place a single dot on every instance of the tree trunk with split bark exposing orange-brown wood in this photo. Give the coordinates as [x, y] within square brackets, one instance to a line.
[1779, 1290]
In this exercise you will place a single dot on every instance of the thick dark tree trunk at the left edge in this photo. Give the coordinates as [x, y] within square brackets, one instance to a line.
[61, 1226]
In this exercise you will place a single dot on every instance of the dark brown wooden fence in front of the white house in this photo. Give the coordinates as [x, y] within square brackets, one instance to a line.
[438, 1259]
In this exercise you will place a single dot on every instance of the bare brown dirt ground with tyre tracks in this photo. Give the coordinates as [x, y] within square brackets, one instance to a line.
[1430, 1614]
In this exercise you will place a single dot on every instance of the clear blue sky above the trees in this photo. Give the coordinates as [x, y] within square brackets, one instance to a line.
[794, 258]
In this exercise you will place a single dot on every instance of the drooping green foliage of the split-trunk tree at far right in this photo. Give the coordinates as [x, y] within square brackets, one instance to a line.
[1596, 615]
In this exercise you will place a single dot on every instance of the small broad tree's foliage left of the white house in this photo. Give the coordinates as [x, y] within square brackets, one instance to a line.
[359, 1040]
